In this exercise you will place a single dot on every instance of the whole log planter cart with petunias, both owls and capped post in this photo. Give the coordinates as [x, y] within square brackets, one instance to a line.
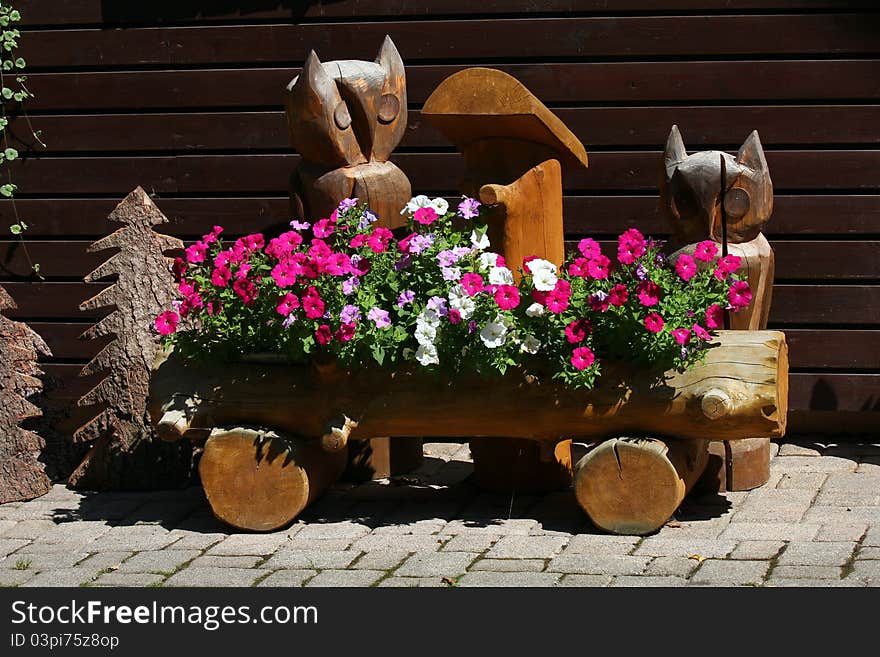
[361, 320]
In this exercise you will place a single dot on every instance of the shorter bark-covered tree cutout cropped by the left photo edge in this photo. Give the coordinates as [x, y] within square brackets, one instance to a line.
[21, 474]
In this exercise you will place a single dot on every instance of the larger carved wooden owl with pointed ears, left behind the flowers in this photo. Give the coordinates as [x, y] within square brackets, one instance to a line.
[345, 118]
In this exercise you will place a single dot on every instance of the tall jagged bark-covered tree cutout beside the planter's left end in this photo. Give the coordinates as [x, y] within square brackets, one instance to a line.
[123, 453]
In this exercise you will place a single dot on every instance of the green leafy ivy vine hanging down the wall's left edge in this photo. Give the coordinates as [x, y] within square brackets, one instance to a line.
[14, 93]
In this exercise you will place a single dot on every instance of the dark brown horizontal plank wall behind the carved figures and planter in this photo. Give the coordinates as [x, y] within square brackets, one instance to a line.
[184, 97]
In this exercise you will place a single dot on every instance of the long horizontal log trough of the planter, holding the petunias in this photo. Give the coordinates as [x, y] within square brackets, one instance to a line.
[748, 367]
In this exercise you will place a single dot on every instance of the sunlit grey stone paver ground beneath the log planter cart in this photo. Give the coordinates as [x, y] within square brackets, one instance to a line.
[816, 523]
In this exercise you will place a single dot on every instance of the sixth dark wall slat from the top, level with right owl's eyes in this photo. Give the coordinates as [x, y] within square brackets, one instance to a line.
[584, 215]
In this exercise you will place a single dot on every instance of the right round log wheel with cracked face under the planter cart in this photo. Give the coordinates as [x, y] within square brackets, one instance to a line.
[634, 485]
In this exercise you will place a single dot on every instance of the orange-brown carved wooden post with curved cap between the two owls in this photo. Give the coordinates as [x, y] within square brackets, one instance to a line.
[513, 149]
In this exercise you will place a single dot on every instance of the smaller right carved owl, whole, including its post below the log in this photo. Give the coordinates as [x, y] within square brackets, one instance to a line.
[693, 199]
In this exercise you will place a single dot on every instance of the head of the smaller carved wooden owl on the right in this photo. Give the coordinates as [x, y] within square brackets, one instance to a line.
[691, 192]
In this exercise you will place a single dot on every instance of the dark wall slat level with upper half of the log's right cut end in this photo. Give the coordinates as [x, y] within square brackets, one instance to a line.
[809, 348]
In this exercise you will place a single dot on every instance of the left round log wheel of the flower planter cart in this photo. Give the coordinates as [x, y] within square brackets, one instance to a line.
[260, 480]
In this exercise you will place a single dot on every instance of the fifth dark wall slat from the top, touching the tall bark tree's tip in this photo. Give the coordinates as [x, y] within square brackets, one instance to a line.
[428, 172]
